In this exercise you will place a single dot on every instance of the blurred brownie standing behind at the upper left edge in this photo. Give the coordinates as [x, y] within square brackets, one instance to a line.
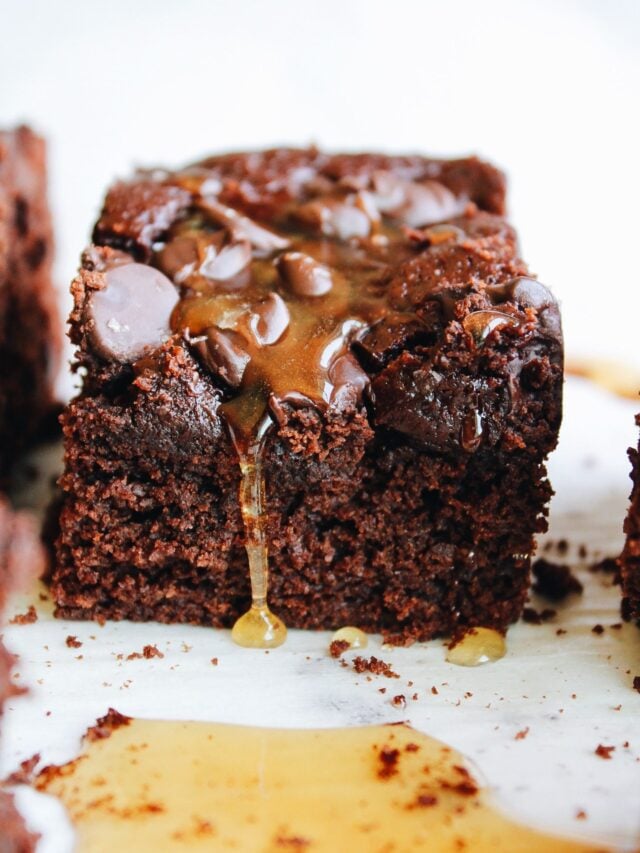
[29, 328]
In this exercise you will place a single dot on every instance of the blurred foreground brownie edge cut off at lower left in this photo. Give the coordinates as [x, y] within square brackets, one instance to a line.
[21, 557]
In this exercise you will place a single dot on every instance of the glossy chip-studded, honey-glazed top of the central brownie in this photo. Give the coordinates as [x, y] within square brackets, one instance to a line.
[293, 276]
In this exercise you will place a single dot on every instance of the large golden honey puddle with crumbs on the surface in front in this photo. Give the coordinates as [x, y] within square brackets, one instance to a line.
[204, 786]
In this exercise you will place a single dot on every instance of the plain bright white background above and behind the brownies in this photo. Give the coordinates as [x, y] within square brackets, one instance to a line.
[548, 90]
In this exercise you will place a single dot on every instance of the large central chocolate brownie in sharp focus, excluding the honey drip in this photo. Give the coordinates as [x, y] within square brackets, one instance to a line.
[403, 498]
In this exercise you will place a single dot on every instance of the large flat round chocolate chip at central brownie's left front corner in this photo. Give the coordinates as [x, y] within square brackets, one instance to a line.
[130, 315]
